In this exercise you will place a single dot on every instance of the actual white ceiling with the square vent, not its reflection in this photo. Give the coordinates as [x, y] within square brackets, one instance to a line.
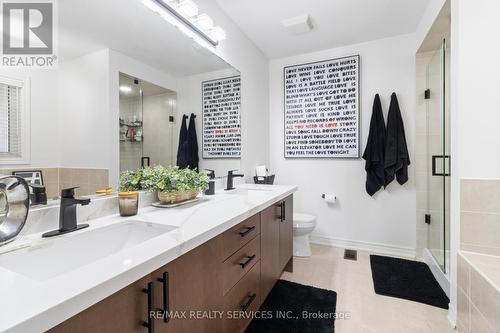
[336, 22]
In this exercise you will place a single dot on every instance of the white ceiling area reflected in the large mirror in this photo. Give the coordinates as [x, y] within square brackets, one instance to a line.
[127, 26]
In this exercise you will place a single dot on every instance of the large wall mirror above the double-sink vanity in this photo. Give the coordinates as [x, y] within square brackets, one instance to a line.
[117, 99]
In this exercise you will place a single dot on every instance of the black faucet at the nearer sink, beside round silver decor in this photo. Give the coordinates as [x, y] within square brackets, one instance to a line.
[67, 213]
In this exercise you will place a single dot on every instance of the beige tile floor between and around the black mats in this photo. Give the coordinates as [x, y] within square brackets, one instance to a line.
[369, 312]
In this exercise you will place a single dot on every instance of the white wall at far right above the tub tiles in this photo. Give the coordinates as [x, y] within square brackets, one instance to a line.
[478, 87]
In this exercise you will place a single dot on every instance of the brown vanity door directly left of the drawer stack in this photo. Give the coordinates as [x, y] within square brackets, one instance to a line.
[192, 291]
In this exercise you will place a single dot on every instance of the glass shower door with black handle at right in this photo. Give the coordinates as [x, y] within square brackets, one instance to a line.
[438, 145]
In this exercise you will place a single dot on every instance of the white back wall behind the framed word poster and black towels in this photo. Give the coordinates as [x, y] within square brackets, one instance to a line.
[385, 222]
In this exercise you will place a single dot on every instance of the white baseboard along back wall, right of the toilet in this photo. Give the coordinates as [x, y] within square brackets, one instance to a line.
[392, 250]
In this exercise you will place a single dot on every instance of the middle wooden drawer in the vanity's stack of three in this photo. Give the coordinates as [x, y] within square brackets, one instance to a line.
[237, 265]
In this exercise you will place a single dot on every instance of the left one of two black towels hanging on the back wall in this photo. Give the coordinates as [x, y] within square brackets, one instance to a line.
[375, 150]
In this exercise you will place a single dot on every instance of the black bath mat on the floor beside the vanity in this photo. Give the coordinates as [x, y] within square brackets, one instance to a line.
[297, 298]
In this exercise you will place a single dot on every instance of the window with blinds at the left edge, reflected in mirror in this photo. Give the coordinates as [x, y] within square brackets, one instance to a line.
[14, 121]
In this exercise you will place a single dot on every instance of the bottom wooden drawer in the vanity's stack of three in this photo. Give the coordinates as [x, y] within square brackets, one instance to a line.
[243, 298]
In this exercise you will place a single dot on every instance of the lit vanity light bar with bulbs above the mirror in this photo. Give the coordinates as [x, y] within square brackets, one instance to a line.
[183, 14]
